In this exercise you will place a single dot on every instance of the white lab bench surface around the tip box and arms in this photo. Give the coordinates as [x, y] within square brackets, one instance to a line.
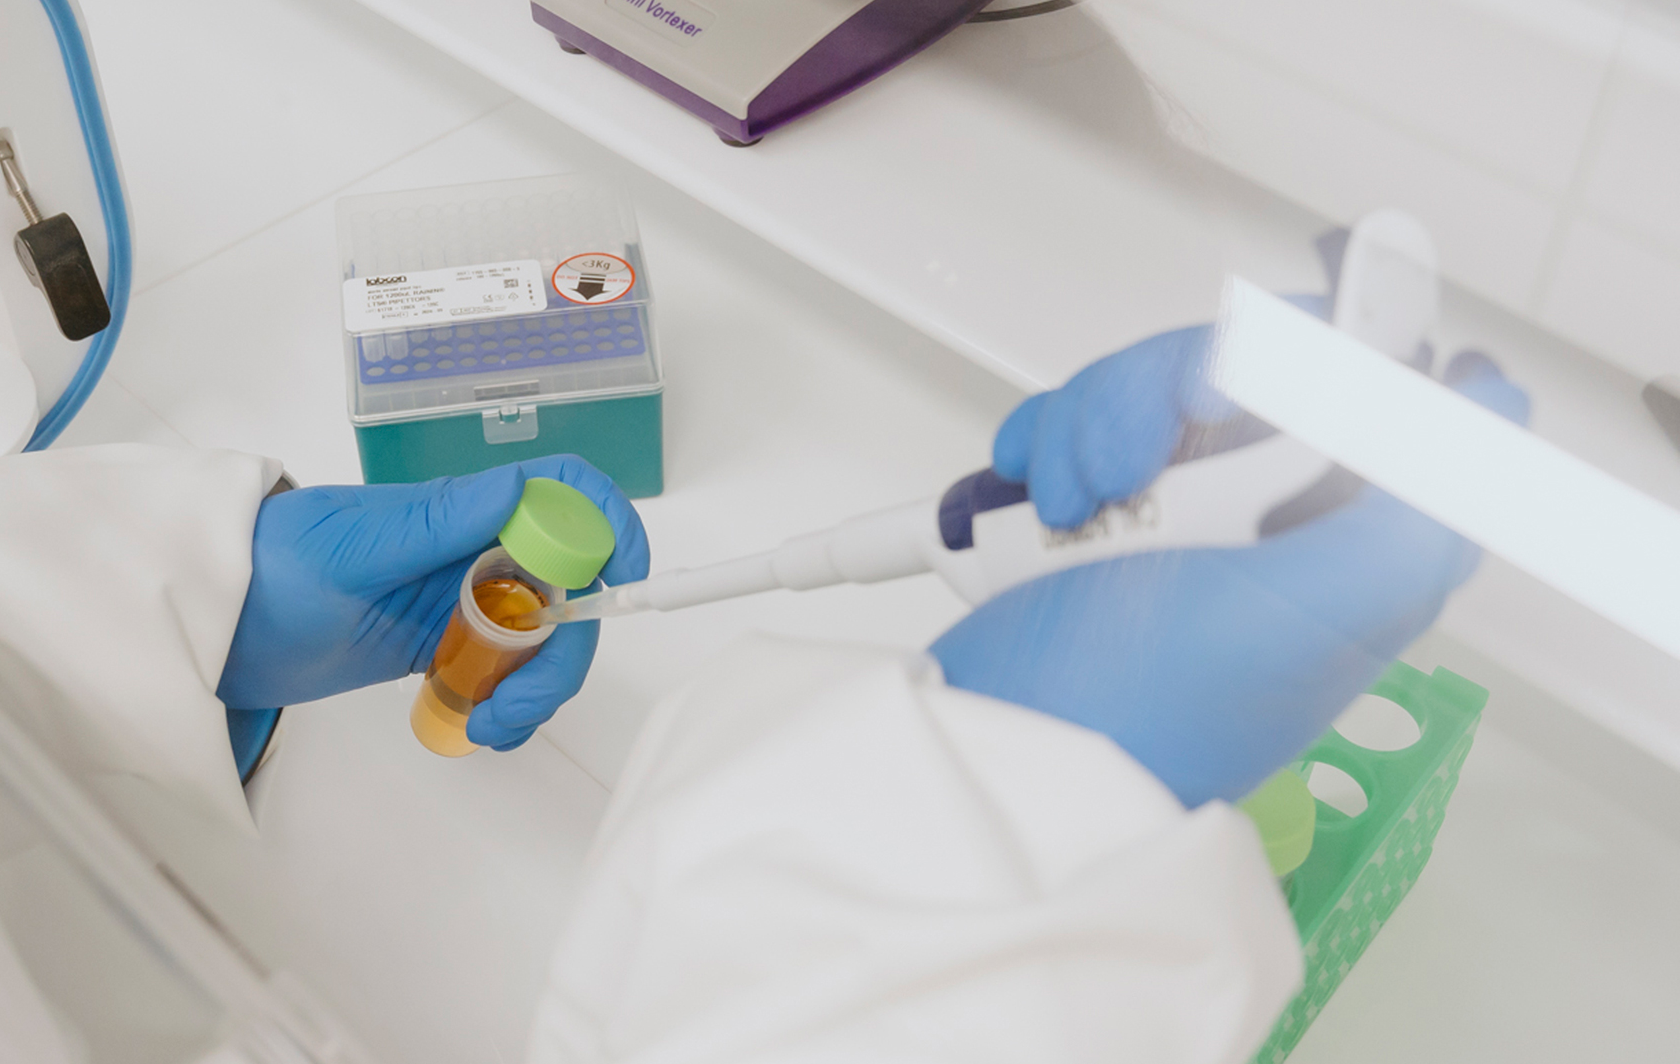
[831, 347]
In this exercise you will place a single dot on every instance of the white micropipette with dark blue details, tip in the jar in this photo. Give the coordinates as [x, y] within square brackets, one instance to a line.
[984, 535]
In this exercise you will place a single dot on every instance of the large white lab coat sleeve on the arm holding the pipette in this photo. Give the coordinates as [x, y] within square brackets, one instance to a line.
[822, 853]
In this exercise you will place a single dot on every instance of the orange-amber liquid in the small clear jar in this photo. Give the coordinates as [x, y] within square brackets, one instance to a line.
[466, 670]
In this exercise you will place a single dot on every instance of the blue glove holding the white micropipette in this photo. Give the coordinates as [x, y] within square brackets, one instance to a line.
[1214, 668]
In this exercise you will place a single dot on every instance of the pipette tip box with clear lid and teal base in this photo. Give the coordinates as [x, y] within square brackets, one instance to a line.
[500, 322]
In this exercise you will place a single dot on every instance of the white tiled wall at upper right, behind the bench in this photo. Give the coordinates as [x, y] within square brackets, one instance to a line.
[1538, 139]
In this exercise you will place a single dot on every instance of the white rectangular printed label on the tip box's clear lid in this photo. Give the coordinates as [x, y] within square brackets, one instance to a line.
[441, 297]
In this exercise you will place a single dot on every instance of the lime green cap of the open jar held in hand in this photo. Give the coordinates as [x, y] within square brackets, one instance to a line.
[559, 535]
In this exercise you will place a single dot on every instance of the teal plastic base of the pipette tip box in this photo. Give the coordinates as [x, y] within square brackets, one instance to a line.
[622, 438]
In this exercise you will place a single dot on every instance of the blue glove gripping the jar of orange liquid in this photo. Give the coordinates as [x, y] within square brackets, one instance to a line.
[355, 586]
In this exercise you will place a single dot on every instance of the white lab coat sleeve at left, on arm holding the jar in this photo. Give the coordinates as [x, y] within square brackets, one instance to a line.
[123, 571]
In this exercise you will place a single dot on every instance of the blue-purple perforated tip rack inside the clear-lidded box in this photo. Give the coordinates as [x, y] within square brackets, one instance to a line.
[510, 344]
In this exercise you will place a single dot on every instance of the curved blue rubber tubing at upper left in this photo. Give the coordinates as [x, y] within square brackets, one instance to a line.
[85, 90]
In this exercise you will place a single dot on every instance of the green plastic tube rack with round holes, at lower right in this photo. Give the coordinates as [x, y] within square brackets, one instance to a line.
[1363, 866]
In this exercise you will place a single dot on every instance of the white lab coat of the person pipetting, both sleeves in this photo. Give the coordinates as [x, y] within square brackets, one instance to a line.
[817, 853]
